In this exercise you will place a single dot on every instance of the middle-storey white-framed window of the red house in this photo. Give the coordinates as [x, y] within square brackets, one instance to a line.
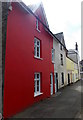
[37, 48]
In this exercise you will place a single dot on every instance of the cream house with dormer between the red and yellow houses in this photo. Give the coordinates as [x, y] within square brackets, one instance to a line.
[59, 61]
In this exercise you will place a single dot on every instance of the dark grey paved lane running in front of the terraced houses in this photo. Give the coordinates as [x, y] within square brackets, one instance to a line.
[66, 103]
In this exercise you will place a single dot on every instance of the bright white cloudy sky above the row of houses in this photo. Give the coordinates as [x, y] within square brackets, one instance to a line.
[63, 16]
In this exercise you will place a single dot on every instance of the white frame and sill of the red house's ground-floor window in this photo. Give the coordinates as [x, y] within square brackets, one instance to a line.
[35, 84]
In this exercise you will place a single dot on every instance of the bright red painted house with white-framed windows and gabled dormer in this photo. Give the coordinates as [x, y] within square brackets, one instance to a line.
[28, 61]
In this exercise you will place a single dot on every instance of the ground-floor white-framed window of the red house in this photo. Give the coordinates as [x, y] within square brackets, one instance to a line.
[36, 83]
